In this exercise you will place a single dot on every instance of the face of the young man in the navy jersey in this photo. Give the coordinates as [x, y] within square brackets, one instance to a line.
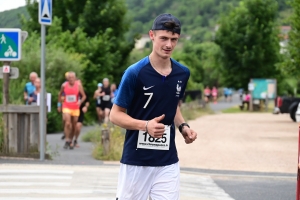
[164, 42]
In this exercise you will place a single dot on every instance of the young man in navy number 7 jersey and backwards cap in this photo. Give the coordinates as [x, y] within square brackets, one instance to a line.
[147, 106]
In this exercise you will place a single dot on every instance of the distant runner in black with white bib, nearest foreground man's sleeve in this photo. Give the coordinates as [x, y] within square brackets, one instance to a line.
[106, 99]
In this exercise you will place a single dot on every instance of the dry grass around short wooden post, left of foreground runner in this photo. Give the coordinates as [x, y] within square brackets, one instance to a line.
[117, 137]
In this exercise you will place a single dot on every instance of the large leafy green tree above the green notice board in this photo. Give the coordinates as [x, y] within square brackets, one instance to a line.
[248, 37]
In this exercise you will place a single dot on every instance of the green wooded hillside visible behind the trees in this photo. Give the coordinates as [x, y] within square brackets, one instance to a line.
[199, 18]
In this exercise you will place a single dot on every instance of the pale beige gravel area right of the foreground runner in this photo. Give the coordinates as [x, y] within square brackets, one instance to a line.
[245, 142]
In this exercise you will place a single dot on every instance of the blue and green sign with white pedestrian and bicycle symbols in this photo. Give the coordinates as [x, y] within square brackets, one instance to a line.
[10, 44]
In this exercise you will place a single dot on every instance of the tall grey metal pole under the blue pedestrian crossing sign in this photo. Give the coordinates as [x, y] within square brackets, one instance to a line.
[42, 95]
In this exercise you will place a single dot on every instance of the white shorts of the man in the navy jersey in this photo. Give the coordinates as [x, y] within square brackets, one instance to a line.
[139, 182]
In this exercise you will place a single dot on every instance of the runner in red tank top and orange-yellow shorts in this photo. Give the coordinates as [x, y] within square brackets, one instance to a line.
[70, 106]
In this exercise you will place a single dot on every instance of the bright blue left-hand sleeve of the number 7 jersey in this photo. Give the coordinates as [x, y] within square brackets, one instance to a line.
[126, 90]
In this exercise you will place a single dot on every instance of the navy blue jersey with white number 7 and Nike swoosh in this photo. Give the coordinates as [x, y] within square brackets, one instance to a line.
[146, 94]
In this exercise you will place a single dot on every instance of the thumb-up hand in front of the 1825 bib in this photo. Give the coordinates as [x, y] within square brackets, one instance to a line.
[156, 129]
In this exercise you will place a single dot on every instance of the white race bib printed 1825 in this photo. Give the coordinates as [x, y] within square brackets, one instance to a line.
[146, 141]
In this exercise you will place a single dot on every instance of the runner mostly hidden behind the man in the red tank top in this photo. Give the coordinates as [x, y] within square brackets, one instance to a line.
[83, 109]
